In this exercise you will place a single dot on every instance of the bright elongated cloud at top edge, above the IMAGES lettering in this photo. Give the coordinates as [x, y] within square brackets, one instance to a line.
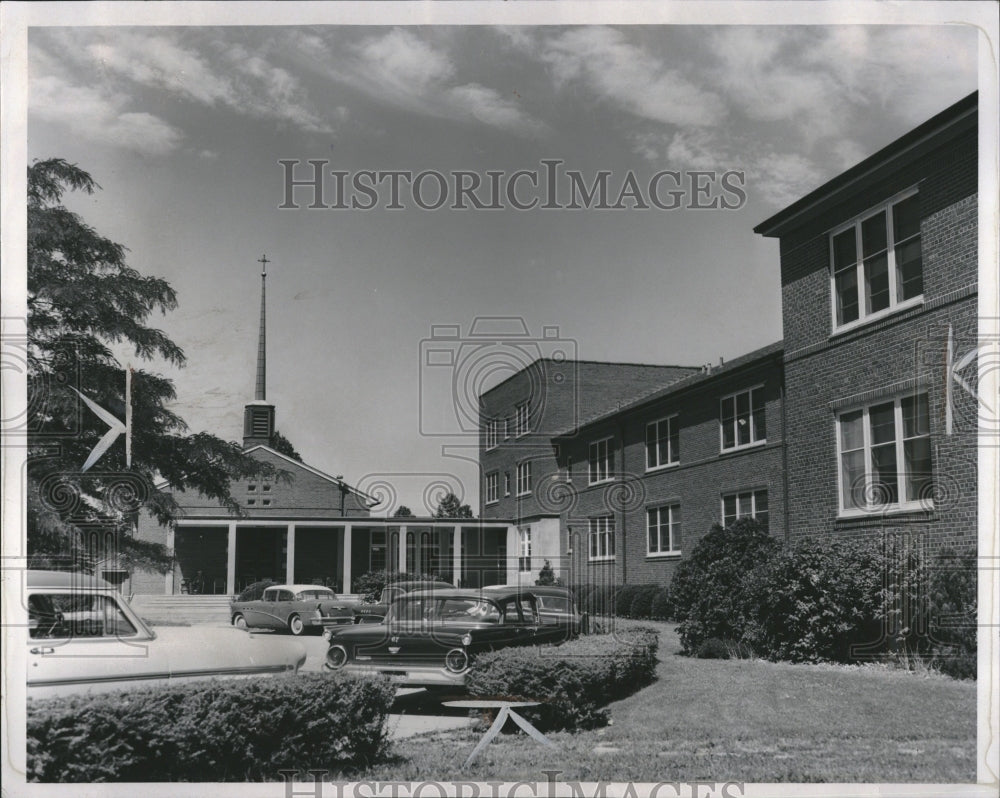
[627, 76]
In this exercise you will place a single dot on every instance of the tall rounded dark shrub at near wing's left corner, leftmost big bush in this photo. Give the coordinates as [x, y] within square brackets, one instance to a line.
[706, 588]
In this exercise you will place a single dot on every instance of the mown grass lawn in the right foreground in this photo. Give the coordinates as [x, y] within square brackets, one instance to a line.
[738, 720]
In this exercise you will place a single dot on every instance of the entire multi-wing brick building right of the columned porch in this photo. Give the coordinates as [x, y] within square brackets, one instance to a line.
[858, 422]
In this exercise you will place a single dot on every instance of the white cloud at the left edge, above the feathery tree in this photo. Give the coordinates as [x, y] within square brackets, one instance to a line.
[99, 117]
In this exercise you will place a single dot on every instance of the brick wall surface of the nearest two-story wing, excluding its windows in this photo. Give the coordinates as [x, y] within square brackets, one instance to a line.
[900, 354]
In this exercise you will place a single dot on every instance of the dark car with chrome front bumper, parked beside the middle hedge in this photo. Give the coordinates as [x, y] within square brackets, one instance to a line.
[429, 637]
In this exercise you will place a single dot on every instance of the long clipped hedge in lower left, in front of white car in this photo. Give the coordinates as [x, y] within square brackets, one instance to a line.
[230, 730]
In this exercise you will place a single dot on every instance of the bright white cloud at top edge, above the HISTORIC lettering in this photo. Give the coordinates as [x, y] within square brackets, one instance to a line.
[406, 70]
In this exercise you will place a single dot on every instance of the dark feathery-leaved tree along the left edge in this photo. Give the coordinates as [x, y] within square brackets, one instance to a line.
[84, 299]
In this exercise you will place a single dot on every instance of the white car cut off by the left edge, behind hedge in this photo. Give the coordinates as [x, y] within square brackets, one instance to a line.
[84, 637]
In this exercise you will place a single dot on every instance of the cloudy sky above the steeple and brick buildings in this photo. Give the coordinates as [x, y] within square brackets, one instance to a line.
[184, 128]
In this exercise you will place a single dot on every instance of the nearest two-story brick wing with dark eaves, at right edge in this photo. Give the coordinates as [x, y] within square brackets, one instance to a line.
[878, 274]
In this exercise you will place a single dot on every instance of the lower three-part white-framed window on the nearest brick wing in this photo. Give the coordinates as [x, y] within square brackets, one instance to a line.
[885, 456]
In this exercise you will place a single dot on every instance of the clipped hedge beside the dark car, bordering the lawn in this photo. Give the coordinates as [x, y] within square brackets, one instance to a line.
[573, 681]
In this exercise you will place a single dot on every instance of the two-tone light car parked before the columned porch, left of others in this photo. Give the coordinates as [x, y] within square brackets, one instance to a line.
[294, 608]
